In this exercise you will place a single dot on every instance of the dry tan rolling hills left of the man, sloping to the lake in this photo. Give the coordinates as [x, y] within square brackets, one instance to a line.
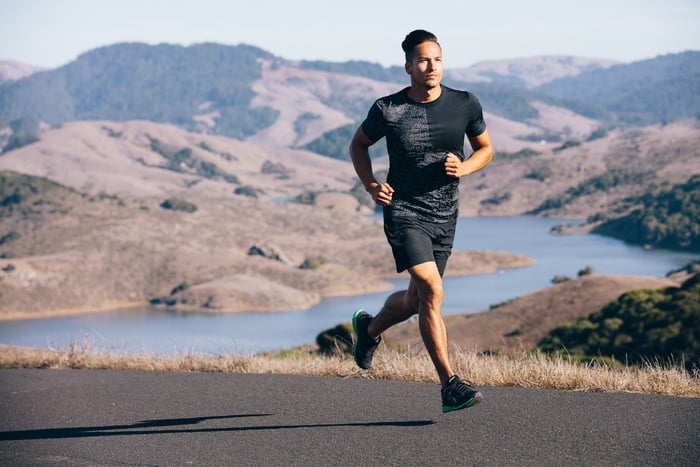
[110, 233]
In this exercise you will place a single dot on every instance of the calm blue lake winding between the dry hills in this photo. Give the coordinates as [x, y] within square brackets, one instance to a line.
[157, 331]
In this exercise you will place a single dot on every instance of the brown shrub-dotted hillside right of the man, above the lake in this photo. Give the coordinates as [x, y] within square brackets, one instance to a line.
[578, 179]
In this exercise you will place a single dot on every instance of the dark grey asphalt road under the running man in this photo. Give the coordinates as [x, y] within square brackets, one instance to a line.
[86, 417]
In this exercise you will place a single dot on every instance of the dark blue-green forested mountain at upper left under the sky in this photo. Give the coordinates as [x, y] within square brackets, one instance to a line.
[163, 83]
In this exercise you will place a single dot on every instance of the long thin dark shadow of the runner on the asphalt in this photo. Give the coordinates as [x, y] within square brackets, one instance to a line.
[150, 427]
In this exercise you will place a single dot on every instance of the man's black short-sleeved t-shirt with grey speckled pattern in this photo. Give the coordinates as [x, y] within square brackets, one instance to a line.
[418, 138]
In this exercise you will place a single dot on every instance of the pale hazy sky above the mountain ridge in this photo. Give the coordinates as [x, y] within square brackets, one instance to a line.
[51, 33]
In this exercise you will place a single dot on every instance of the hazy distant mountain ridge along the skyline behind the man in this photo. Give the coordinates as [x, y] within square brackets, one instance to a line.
[216, 88]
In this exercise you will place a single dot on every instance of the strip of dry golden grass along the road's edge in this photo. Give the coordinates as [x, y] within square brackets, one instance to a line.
[524, 370]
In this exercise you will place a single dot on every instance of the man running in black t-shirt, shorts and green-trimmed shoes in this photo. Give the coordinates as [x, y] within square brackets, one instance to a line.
[425, 126]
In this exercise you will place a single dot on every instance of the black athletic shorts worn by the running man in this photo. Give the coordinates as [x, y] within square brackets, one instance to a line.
[414, 242]
